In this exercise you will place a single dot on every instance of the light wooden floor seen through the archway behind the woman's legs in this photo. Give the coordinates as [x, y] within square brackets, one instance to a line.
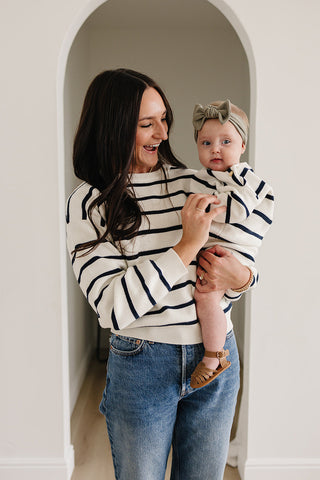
[89, 433]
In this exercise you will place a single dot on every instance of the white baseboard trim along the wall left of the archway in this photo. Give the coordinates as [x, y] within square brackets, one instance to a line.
[41, 468]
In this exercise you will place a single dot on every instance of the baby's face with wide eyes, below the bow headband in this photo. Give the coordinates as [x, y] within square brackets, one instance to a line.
[219, 146]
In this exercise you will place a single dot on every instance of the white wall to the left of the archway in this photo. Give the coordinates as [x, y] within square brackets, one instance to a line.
[34, 433]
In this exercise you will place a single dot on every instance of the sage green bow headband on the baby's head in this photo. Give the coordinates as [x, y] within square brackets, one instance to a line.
[222, 113]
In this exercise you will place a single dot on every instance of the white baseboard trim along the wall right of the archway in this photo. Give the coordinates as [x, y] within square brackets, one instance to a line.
[282, 469]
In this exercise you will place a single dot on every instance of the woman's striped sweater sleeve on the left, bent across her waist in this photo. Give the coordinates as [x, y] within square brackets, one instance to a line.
[119, 288]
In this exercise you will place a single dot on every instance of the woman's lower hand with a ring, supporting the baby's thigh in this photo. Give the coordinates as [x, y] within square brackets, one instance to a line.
[220, 270]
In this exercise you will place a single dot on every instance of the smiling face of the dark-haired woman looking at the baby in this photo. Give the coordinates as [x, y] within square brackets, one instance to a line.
[152, 129]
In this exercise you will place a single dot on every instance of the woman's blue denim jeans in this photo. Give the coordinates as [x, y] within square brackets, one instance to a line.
[149, 406]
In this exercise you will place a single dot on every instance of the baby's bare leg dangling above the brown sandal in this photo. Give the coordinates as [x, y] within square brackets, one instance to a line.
[213, 324]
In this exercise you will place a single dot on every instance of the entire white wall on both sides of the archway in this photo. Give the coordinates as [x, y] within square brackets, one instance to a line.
[282, 362]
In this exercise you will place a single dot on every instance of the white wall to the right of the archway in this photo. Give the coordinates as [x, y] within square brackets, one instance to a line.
[284, 434]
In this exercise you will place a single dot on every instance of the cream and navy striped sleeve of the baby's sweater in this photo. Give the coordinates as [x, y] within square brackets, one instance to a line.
[241, 191]
